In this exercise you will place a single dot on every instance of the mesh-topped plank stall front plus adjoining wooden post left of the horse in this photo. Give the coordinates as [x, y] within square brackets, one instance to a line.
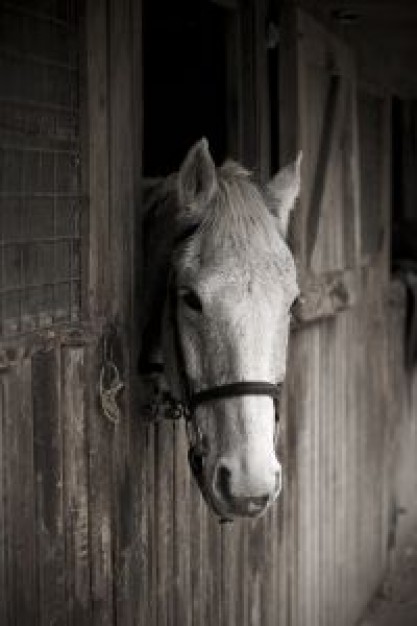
[70, 109]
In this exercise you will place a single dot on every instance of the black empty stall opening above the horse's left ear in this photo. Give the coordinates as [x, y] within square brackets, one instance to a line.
[184, 81]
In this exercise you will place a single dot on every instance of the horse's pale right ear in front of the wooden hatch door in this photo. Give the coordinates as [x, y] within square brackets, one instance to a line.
[284, 188]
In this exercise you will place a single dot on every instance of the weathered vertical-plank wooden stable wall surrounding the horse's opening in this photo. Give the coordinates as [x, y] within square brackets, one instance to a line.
[100, 523]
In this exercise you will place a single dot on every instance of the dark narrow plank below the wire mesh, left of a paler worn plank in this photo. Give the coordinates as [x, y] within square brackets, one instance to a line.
[48, 450]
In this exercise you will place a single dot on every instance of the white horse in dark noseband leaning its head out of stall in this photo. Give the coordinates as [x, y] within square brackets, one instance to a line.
[219, 285]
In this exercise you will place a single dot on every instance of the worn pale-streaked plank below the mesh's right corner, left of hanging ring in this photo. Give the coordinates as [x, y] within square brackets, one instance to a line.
[77, 528]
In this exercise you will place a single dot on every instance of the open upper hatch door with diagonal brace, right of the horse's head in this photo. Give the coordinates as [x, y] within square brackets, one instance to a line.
[319, 116]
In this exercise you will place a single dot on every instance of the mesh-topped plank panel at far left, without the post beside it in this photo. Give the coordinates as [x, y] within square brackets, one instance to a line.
[43, 367]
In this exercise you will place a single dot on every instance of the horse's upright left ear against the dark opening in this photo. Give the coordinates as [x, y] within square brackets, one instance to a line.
[197, 180]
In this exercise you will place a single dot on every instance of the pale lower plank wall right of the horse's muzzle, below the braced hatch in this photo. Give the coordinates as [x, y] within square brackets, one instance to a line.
[341, 391]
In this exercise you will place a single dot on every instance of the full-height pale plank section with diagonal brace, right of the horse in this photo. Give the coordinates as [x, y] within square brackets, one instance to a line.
[337, 426]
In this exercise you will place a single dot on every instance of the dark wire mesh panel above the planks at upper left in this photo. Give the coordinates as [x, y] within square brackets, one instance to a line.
[40, 201]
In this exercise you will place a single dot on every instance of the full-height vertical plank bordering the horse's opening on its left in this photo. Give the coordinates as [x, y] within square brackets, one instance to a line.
[124, 29]
